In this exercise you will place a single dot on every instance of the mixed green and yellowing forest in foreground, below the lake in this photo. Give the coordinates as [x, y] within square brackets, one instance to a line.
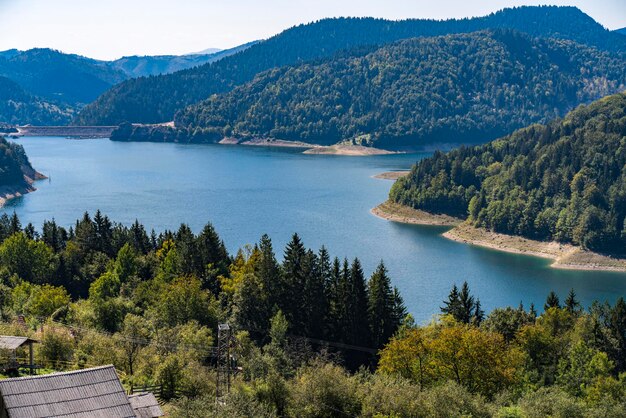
[312, 336]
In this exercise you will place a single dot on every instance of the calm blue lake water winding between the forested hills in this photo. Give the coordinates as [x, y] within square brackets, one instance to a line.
[248, 191]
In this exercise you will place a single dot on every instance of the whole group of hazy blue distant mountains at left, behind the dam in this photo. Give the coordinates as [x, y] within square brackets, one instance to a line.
[58, 84]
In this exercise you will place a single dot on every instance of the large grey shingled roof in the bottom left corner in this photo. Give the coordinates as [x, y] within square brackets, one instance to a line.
[95, 392]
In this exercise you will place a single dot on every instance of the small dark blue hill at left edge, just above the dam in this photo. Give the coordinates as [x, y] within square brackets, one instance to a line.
[20, 107]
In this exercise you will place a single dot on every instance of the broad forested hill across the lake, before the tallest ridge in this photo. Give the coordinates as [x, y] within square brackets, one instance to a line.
[455, 88]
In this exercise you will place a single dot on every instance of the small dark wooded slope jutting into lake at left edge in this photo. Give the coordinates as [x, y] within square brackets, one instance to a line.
[14, 165]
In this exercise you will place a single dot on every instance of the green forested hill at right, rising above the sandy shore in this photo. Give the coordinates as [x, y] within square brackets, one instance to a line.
[563, 181]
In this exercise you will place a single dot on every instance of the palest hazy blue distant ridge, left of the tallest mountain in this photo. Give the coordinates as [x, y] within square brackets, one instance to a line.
[141, 66]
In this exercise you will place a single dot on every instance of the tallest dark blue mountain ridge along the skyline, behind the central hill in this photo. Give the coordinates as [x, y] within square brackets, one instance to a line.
[157, 99]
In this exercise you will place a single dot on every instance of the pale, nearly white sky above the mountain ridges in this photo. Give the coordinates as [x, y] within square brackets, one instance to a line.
[109, 29]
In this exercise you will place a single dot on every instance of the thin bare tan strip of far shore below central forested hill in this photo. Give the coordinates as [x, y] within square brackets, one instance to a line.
[345, 150]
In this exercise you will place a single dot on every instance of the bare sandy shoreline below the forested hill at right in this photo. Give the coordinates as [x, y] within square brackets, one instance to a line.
[564, 256]
